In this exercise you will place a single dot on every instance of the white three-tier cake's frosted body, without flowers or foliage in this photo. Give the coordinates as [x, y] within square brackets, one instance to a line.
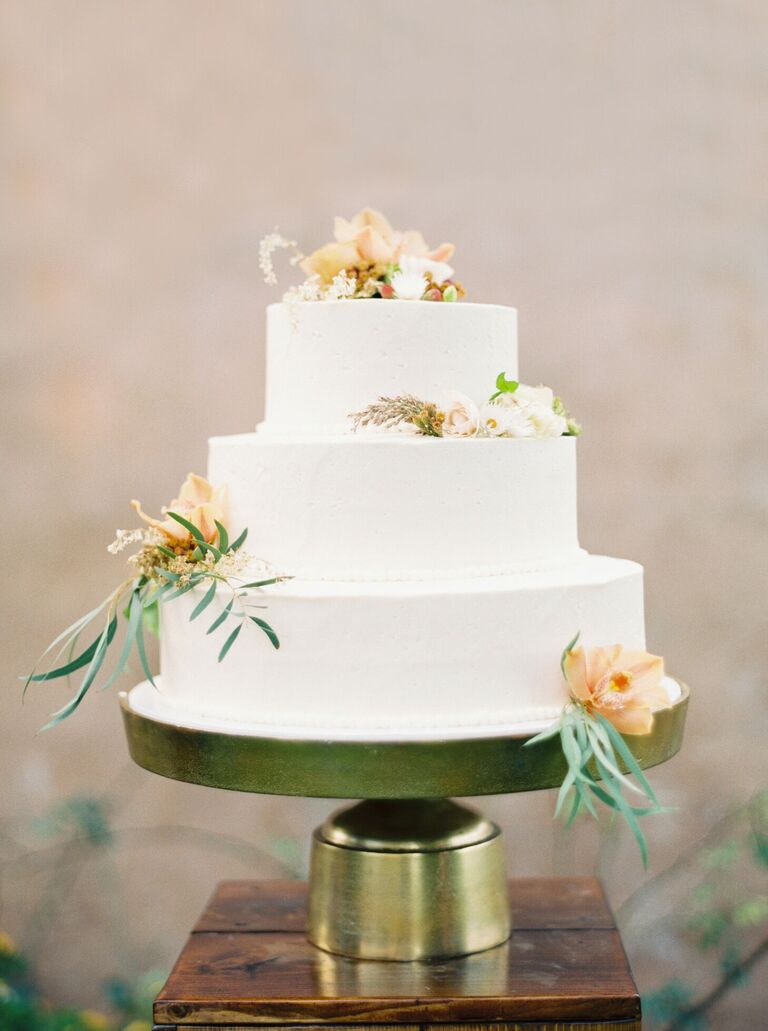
[436, 577]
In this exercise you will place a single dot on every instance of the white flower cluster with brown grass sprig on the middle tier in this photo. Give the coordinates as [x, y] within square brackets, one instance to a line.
[514, 411]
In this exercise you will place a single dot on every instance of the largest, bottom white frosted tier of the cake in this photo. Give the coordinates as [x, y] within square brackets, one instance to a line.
[399, 658]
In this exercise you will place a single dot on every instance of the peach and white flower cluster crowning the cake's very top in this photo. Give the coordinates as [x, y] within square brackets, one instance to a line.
[368, 258]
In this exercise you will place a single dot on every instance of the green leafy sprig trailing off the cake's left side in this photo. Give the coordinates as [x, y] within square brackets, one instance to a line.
[139, 598]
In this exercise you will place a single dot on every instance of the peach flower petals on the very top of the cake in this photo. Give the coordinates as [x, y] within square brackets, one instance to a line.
[369, 240]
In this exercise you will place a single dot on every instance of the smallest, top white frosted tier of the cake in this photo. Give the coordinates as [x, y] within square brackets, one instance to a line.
[327, 360]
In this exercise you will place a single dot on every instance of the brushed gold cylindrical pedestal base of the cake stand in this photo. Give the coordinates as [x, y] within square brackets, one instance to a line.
[408, 880]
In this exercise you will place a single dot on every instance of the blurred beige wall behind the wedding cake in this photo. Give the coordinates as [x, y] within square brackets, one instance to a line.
[600, 165]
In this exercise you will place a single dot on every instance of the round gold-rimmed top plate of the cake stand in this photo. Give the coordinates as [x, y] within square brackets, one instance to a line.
[220, 756]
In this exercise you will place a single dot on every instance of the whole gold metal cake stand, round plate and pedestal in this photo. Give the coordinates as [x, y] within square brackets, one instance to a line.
[407, 874]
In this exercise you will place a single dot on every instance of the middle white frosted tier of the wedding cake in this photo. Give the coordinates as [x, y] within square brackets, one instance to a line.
[400, 508]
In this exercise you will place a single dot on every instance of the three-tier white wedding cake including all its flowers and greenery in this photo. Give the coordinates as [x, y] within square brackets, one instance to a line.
[391, 557]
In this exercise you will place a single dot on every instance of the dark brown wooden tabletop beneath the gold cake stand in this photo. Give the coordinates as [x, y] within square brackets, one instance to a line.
[247, 965]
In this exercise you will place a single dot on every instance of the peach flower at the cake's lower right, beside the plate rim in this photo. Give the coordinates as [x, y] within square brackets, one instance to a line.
[623, 686]
